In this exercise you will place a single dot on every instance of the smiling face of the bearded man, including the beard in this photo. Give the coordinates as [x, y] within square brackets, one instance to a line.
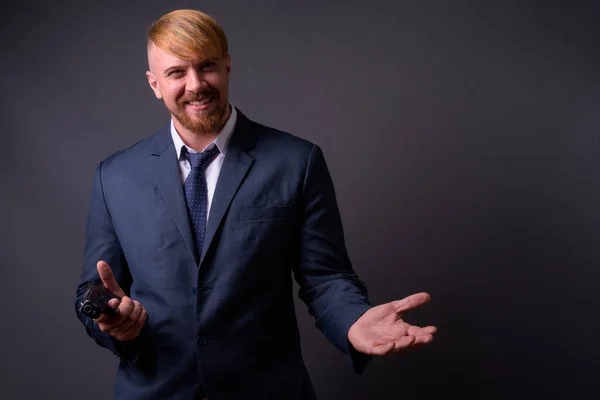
[195, 89]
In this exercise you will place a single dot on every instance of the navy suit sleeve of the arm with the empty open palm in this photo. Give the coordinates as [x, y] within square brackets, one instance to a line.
[334, 294]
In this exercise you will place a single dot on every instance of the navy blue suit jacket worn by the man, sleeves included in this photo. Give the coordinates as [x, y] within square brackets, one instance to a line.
[224, 323]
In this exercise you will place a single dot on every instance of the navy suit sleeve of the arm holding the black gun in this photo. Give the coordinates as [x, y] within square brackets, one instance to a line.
[102, 243]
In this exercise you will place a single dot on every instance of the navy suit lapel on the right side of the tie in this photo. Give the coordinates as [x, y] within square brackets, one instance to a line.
[235, 167]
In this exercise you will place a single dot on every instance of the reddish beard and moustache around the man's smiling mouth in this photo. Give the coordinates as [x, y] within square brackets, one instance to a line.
[205, 121]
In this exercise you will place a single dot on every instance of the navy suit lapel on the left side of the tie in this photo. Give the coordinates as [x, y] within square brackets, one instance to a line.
[166, 171]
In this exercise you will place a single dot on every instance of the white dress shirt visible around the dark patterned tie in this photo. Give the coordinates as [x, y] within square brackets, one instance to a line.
[213, 170]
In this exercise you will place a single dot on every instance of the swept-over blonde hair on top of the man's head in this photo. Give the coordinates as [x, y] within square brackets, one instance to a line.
[188, 33]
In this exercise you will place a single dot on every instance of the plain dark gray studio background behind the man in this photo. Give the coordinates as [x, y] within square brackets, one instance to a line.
[462, 138]
